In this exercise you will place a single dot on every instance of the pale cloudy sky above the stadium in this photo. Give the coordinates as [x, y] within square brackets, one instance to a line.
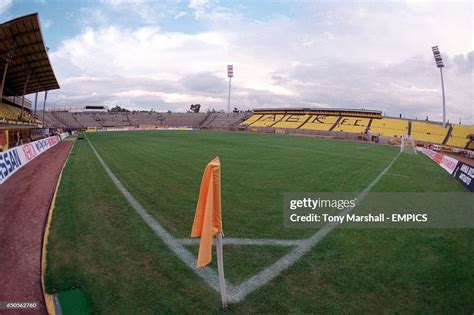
[169, 54]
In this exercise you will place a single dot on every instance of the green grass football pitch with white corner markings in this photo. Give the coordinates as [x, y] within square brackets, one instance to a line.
[100, 244]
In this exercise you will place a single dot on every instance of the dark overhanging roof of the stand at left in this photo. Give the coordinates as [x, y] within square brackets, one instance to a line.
[21, 43]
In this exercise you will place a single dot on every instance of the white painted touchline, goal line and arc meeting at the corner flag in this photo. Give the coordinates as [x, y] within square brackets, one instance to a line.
[236, 293]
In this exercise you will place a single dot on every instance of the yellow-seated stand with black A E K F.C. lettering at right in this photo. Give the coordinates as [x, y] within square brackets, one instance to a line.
[334, 122]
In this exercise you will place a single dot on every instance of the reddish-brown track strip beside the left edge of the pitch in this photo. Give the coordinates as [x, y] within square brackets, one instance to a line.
[25, 199]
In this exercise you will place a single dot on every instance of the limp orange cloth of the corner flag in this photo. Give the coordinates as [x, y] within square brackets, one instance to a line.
[207, 220]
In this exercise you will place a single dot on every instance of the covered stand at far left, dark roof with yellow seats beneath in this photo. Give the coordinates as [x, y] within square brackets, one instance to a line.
[25, 67]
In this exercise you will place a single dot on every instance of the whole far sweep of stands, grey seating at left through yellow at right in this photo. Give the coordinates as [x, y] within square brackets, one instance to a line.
[335, 123]
